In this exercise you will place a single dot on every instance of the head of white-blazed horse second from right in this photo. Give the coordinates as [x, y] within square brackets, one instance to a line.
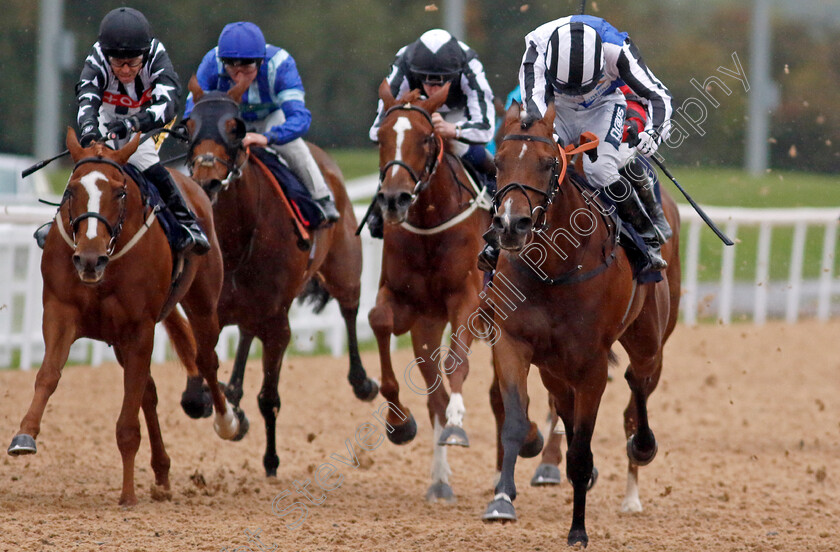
[409, 149]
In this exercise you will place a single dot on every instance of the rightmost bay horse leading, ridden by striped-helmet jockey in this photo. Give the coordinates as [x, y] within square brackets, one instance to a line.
[585, 300]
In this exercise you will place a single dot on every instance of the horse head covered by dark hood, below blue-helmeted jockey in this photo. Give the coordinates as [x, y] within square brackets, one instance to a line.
[216, 133]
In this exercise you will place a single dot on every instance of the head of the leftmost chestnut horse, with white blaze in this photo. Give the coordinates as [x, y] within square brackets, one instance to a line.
[95, 203]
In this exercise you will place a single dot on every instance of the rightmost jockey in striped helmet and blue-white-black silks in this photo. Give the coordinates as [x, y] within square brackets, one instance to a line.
[579, 63]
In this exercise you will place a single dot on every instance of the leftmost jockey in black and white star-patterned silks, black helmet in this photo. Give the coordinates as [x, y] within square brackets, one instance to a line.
[128, 85]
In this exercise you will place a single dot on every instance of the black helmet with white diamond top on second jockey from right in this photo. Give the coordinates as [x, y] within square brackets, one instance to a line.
[436, 56]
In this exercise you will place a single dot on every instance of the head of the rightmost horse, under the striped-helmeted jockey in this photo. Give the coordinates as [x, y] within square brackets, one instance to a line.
[527, 164]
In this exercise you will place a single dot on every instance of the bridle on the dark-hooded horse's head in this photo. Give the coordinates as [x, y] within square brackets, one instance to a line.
[208, 160]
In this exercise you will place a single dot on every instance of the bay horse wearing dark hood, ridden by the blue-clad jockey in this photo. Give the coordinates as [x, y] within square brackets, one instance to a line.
[266, 263]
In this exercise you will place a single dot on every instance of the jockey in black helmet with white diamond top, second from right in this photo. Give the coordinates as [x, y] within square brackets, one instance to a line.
[466, 118]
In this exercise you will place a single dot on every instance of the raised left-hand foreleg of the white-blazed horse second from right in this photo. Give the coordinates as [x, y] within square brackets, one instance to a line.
[401, 425]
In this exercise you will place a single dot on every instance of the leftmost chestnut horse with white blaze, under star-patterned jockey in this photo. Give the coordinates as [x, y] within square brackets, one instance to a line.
[107, 271]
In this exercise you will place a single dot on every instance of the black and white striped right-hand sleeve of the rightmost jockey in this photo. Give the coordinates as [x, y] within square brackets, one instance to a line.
[634, 72]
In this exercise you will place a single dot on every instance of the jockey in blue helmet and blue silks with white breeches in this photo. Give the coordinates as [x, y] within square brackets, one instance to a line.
[272, 107]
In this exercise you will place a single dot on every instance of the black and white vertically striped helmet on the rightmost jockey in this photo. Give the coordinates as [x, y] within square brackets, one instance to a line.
[574, 58]
